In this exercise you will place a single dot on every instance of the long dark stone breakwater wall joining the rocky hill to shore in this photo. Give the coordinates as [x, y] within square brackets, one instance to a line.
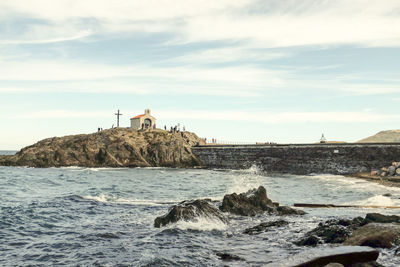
[301, 158]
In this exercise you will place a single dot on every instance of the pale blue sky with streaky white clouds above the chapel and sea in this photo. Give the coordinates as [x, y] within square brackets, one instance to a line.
[282, 71]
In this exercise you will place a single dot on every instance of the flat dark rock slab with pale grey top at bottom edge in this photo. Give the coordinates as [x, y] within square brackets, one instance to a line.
[345, 255]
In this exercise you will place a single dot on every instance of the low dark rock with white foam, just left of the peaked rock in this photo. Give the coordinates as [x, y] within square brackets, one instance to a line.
[190, 211]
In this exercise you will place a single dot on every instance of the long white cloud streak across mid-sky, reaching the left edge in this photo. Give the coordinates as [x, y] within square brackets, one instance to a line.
[76, 76]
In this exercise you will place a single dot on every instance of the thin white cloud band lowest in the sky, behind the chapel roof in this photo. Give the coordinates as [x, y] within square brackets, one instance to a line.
[230, 115]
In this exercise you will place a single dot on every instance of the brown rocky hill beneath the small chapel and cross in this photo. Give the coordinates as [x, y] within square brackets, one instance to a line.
[118, 147]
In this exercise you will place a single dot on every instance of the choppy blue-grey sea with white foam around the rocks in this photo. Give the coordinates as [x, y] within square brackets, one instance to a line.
[78, 216]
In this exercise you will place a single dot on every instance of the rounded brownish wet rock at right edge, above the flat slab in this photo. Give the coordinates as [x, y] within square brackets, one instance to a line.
[377, 235]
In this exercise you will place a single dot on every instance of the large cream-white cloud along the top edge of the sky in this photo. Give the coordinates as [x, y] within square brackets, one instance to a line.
[273, 23]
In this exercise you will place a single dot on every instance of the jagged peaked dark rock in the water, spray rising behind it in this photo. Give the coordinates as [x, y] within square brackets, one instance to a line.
[251, 203]
